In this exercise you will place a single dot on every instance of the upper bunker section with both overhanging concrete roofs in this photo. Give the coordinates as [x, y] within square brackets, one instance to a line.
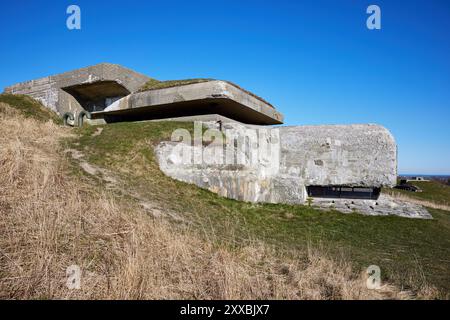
[112, 93]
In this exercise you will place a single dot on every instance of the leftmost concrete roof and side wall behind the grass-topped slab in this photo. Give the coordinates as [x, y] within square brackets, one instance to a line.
[59, 92]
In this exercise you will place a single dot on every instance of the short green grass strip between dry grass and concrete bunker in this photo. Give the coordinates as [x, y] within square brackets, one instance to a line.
[408, 251]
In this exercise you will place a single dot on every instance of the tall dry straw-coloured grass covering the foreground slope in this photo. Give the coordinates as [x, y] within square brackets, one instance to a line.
[51, 220]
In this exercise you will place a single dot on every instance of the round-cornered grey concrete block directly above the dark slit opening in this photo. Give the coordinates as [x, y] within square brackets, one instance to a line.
[350, 155]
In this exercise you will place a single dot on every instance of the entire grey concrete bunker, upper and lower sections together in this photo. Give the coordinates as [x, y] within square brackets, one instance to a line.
[339, 166]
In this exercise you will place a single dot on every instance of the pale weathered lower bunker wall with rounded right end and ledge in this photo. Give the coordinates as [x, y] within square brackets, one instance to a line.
[301, 156]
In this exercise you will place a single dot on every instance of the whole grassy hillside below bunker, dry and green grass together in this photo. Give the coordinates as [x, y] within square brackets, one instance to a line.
[95, 197]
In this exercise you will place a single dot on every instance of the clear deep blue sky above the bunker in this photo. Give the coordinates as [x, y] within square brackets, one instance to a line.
[314, 60]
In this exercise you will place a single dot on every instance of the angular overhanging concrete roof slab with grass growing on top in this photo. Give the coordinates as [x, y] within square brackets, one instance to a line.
[211, 97]
